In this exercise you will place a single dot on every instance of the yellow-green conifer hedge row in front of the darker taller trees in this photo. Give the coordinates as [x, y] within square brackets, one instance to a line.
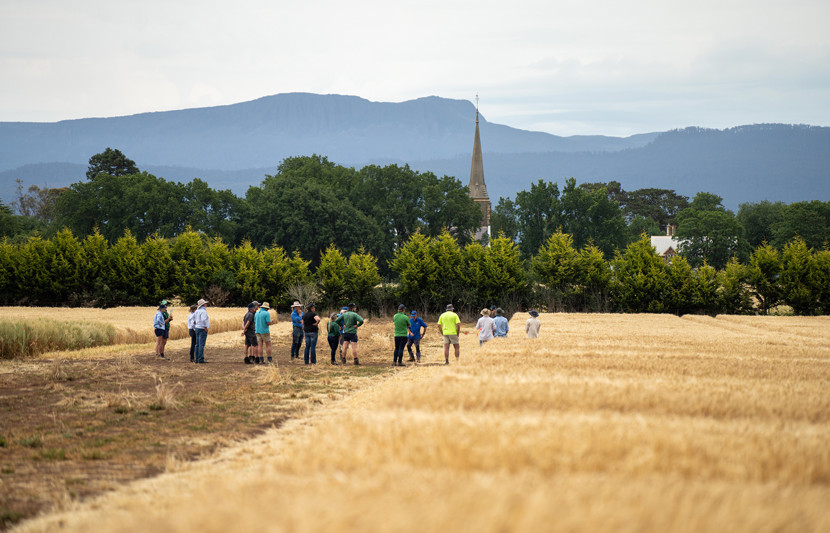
[429, 272]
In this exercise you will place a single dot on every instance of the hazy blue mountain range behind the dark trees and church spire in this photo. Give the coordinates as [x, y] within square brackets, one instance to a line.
[234, 146]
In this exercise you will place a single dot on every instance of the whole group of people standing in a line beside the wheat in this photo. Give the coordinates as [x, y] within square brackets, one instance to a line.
[341, 331]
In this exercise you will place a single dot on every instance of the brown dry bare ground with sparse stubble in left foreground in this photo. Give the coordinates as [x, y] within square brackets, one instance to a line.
[73, 428]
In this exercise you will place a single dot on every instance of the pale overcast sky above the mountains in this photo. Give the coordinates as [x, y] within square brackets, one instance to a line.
[571, 67]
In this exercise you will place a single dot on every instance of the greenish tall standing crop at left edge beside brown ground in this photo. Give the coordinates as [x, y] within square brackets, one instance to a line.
[20, 339]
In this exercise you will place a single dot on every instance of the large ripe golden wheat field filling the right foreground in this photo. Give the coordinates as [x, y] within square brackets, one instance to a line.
[604, 423]
